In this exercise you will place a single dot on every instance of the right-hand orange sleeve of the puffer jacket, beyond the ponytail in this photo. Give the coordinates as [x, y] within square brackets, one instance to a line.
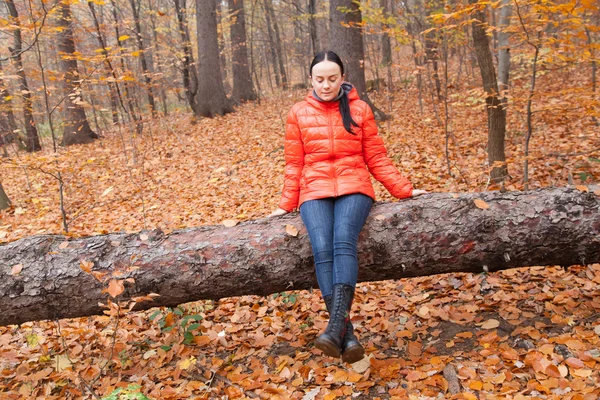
[379, 163]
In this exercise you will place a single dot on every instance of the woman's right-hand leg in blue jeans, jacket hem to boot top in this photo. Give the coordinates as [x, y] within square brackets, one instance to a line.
[350, 214]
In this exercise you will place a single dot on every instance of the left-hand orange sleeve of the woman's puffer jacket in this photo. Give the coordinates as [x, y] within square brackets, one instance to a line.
[294, 162]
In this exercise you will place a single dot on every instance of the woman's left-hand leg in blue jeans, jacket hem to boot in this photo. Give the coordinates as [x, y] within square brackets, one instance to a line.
[317, 216]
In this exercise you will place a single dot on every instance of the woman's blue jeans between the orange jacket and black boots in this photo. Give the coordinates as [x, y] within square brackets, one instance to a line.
[333, 225]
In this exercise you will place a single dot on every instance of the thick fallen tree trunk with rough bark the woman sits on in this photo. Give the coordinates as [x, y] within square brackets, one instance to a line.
[41, 276]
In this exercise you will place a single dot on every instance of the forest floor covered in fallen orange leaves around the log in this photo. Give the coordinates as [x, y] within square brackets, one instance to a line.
[516, 334]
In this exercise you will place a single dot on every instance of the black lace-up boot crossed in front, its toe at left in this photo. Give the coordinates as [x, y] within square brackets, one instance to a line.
[330, 342]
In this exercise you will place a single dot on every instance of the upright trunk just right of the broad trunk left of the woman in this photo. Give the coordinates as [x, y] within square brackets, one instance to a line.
[243, 89]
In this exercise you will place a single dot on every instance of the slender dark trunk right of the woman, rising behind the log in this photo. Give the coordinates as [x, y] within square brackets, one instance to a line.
[495, 110]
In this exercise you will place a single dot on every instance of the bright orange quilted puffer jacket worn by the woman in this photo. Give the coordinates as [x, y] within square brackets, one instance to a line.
[323, 160]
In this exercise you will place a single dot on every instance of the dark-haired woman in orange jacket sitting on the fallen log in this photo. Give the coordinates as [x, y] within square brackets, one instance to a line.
[331, 138]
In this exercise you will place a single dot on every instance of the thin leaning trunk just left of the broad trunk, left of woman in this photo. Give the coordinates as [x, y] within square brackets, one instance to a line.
[190, 79]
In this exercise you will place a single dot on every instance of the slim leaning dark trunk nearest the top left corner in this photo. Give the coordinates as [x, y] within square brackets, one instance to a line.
[31, 133]
